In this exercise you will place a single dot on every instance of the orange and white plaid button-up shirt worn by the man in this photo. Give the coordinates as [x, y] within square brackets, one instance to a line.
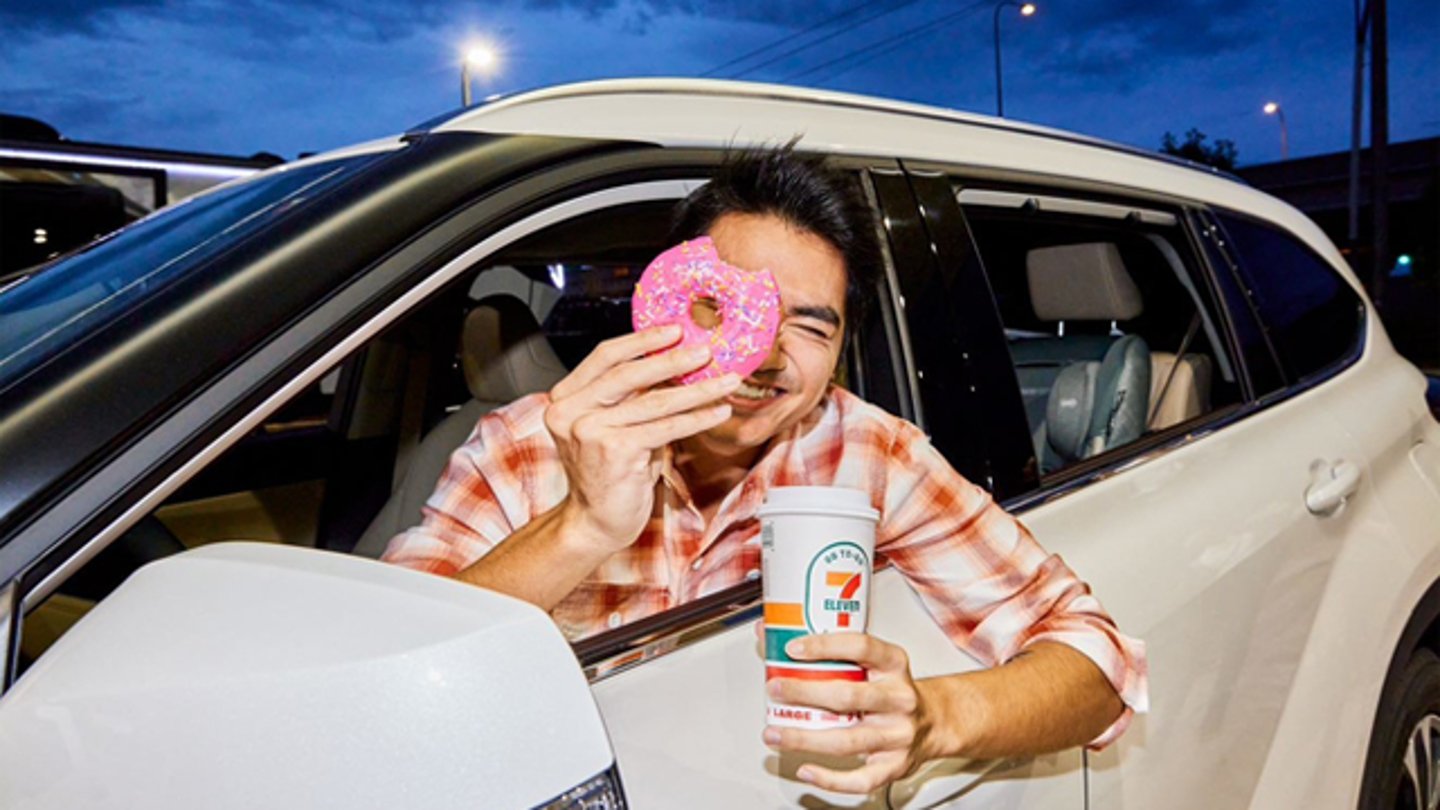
[980, 573]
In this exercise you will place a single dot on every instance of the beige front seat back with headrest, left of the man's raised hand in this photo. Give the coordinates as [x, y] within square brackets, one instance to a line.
[505, 357]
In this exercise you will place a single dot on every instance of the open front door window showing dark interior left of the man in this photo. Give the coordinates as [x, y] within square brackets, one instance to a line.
[349, 462]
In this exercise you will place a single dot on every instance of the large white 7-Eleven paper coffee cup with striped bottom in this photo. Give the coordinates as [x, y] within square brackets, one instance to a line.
[817, 551]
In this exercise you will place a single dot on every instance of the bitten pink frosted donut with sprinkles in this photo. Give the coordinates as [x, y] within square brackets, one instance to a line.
[748, 305]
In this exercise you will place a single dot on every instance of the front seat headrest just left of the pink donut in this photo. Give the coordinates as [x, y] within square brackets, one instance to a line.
[505, 354]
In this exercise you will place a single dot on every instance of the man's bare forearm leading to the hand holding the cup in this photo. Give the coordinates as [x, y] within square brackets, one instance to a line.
[1048, 700]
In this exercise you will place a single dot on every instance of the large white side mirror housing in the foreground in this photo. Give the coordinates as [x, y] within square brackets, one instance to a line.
[247, 675]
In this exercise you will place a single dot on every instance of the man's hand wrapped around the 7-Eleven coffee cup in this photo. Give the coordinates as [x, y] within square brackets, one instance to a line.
[895, 734]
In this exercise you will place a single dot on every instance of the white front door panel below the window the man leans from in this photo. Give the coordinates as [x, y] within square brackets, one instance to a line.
[686, 729]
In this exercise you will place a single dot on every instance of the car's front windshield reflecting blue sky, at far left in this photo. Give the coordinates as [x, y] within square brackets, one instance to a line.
[42, 313]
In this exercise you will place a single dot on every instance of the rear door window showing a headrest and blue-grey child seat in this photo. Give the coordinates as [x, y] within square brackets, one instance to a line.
[1110, 324]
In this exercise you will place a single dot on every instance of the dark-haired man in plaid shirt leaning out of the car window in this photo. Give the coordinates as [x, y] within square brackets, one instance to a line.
[617, 495]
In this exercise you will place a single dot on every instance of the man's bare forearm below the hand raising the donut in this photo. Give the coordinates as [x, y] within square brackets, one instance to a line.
[542, 563]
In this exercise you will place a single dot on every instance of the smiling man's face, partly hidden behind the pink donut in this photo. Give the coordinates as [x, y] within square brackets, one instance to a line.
[791, 383]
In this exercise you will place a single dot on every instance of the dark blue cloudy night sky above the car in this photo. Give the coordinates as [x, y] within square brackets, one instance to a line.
[307, 76]
